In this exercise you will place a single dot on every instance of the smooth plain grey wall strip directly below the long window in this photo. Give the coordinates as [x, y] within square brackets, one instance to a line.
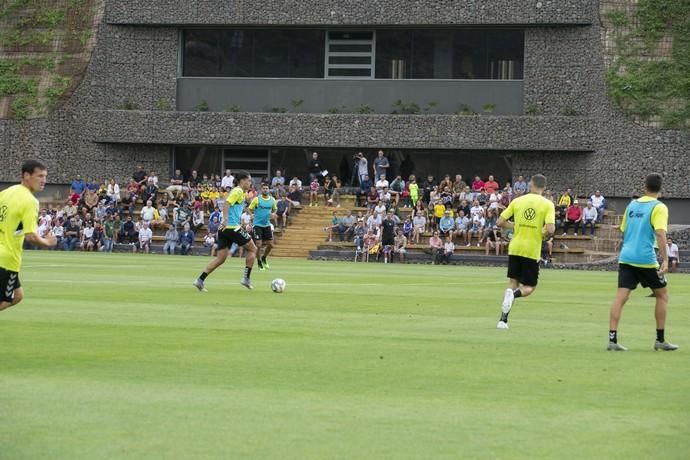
[500, 97]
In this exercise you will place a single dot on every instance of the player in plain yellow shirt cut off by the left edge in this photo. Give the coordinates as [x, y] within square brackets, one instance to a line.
[19, 222]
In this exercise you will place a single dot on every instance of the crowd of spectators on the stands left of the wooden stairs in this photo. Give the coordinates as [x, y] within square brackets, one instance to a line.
[189, 209]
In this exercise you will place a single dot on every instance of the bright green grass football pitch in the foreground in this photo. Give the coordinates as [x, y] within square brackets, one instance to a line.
[119, 356]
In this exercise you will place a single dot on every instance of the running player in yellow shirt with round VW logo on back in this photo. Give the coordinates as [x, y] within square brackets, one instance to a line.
[534, 219]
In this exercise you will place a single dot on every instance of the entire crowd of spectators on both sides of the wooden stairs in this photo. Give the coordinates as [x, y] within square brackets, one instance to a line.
[450, 212]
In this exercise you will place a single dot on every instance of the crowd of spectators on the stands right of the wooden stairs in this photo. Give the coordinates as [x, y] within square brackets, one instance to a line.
[451, 212]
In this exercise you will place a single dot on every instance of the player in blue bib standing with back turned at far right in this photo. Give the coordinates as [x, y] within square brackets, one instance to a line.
[644, 226]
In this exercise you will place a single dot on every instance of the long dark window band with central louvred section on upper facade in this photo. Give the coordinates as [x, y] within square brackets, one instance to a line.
[496, 54]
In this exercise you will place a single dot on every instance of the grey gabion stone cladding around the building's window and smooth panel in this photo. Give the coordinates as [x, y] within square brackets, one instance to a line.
[121, 115]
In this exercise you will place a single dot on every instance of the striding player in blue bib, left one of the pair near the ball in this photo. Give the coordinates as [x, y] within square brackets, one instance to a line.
[233, 233]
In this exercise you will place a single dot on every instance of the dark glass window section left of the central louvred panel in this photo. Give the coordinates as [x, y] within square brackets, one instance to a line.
[254, 53]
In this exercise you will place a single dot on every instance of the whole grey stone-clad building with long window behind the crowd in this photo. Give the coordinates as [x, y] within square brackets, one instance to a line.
[501, 87]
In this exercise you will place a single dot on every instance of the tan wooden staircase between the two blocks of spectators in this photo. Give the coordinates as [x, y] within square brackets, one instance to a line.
[305, 232]
